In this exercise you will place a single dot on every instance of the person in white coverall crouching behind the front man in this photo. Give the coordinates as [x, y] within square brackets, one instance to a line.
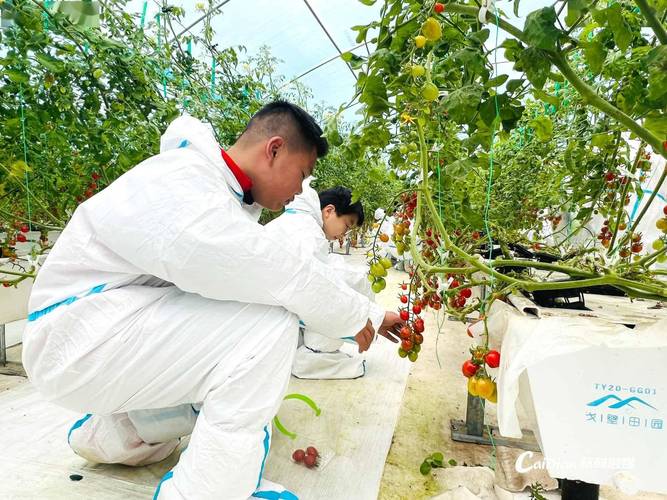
[311, 221]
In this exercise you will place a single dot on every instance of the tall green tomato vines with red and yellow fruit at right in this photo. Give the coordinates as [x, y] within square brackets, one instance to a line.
[506, 177]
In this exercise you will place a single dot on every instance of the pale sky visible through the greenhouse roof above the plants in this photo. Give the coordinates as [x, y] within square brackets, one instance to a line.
[293, 34]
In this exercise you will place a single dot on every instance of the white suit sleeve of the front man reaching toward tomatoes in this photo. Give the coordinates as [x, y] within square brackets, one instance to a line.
[173, 218]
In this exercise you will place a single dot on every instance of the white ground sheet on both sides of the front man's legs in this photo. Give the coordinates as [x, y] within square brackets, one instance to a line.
[355, 428]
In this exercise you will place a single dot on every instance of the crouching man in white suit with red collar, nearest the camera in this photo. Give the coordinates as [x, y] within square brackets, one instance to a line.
[165, 309]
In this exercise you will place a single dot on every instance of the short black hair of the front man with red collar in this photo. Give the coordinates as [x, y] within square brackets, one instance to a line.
[287, 120]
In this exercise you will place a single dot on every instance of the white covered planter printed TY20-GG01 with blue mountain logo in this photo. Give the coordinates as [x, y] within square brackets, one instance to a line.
[596, 388]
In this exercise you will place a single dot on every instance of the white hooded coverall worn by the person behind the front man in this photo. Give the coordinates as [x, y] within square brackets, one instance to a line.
[320, 356]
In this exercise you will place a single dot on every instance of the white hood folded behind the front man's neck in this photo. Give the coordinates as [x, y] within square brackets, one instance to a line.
[189, 133]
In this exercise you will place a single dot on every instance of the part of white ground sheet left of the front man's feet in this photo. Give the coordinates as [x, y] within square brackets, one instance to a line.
[36, 461]
